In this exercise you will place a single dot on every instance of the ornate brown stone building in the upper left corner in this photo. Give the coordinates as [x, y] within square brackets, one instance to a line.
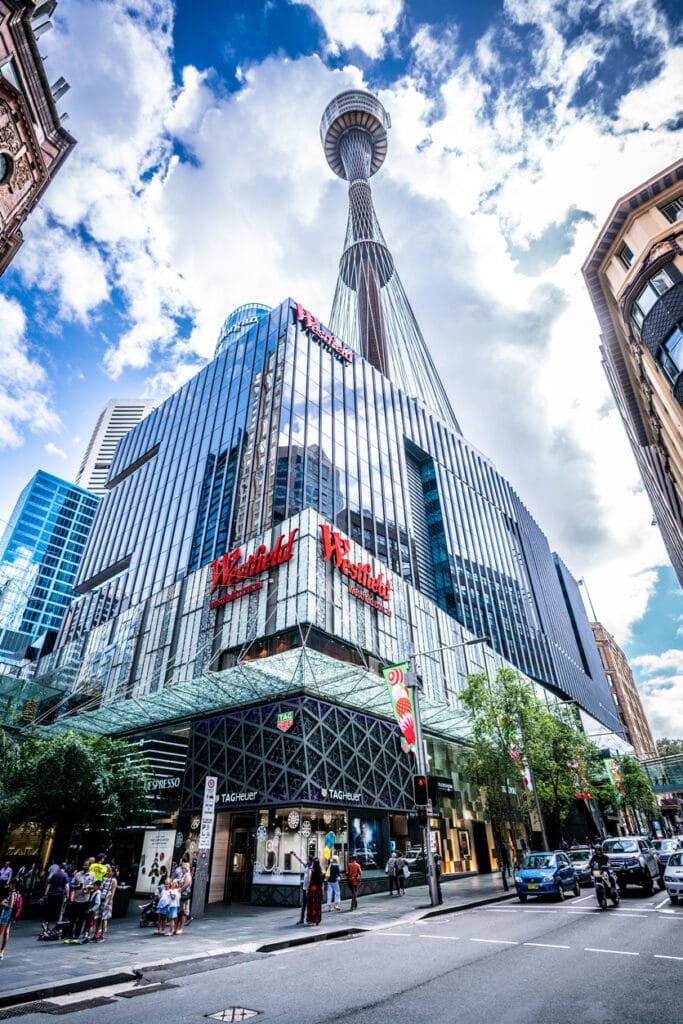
[33, 141]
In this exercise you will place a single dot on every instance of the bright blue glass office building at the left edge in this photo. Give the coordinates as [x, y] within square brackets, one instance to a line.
[40, 552]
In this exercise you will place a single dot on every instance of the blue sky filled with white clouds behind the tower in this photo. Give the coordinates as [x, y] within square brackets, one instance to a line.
[199, 184]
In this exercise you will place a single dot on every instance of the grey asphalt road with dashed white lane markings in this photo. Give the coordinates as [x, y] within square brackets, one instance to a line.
[543, 963]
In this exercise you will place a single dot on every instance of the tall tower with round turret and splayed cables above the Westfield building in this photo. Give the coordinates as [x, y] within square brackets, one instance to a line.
[370, 310]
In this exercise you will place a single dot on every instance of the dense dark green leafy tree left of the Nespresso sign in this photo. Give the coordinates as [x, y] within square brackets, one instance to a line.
[73, 780]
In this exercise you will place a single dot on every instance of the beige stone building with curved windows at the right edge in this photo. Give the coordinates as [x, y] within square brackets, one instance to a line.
[634, 275]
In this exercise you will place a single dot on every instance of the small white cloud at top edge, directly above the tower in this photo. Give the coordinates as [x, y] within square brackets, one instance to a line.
[357, 23]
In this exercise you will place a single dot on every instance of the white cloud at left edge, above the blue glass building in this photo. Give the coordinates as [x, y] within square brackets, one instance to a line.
[26, 402]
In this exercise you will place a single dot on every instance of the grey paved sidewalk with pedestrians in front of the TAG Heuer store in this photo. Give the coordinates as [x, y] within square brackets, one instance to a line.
[35, 970]
